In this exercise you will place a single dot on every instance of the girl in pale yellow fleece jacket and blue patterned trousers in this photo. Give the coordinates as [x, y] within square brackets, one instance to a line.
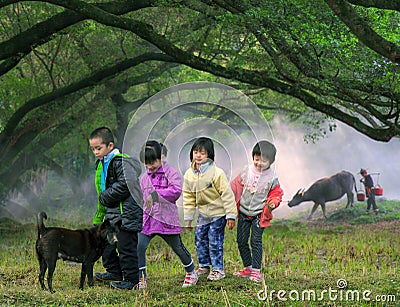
[206, 189]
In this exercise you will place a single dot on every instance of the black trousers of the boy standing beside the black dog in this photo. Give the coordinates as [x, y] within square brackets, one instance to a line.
[125, 262]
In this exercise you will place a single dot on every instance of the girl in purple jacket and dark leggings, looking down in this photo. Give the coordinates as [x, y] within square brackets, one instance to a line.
[161, 187]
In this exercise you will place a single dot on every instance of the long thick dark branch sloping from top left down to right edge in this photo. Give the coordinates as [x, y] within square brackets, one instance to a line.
[146, 32]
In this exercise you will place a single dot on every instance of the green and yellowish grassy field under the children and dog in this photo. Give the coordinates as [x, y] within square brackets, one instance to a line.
[352, 259]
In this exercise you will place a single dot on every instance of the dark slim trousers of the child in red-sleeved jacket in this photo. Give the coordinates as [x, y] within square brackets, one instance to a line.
[246, 224]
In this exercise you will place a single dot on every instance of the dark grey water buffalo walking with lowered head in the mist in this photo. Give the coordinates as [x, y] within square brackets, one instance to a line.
[327, 189]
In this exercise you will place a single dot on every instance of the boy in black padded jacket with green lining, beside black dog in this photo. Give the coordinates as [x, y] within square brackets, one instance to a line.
[120, 202]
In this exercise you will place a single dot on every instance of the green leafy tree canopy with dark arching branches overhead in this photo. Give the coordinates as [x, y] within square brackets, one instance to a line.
[64, 60]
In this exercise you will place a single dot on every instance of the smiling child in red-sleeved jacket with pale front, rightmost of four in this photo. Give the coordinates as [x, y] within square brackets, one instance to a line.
[257, 193]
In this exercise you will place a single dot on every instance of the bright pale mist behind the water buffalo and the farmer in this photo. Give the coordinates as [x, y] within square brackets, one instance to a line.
[300, 164]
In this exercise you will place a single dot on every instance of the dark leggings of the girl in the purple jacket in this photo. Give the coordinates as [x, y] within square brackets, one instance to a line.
[174, 241]
